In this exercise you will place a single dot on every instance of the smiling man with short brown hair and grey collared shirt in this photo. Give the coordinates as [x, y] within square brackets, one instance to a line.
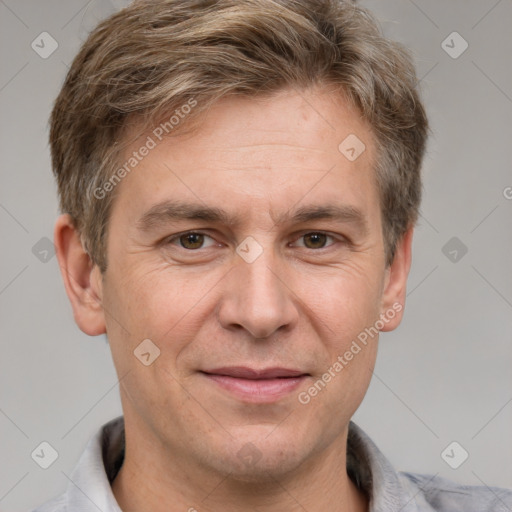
[239, 181]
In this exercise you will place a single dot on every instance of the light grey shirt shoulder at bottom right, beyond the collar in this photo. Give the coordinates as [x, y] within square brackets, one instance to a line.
[443, 495]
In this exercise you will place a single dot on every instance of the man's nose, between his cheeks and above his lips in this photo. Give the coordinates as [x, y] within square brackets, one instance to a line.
[258, 298]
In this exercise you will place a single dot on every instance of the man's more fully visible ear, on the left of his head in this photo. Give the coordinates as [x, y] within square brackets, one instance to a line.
[82, 279]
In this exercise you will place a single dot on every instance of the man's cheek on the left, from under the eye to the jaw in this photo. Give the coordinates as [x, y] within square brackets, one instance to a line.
[149, 305]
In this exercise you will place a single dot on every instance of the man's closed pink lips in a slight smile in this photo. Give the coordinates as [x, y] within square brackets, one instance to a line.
[256, 386]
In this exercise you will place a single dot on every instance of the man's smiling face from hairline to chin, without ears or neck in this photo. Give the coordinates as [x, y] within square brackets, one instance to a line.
[262, 289]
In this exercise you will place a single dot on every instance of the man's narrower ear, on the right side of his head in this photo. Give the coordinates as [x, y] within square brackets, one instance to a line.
[394, 293]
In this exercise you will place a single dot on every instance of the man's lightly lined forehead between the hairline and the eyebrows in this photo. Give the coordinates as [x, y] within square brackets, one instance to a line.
[274, 150]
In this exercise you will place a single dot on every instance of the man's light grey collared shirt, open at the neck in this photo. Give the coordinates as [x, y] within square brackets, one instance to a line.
[388, 490]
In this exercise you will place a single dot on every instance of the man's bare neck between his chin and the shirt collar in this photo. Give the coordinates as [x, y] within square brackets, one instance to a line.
[153, 479]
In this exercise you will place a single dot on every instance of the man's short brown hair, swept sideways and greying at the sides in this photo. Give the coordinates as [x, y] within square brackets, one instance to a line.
[156, 55]
